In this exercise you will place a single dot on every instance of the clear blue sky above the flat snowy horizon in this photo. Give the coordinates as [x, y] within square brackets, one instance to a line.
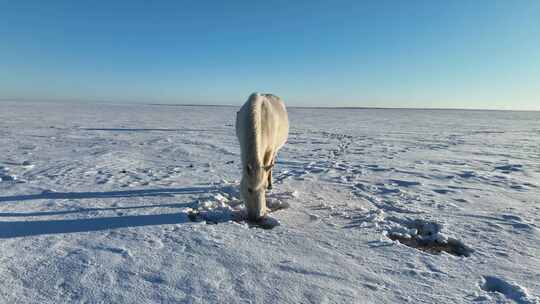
[465, 54]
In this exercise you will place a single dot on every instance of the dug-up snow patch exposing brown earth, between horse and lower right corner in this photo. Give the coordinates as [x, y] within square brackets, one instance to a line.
[427, 237]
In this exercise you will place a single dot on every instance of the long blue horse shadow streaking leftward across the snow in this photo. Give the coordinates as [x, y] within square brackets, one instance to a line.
[23, 228]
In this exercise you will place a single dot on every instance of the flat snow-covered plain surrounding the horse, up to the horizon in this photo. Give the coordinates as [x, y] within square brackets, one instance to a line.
[139, 204]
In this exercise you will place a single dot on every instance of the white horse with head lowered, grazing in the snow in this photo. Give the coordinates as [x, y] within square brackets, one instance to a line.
[262, 127]
